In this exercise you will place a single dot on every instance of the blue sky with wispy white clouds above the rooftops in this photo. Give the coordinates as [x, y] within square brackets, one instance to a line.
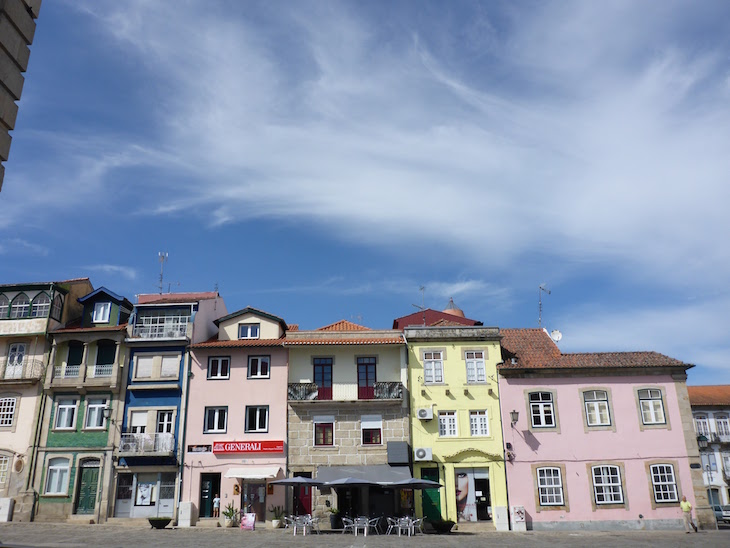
[323, 160]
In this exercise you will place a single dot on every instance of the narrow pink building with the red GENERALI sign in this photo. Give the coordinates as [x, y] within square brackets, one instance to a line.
[237, 416]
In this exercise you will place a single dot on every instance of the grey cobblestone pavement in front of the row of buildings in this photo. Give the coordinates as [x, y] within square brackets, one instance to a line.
[67, 535]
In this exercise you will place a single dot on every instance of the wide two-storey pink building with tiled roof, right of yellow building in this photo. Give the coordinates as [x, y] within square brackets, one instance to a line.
[597, 441]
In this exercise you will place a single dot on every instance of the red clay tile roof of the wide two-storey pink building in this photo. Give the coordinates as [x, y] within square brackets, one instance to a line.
[534, 349]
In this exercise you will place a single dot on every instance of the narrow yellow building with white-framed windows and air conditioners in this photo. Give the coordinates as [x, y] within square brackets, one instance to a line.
[456, 429]
